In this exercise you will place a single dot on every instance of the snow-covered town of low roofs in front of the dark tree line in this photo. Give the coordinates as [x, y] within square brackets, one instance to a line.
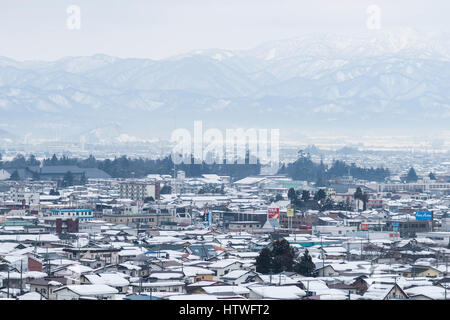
[211, 237]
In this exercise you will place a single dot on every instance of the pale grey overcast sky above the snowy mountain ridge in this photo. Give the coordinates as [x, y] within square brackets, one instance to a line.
[32, 30]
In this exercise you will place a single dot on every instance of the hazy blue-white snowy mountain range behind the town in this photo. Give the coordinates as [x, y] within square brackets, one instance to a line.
[380, 81]
